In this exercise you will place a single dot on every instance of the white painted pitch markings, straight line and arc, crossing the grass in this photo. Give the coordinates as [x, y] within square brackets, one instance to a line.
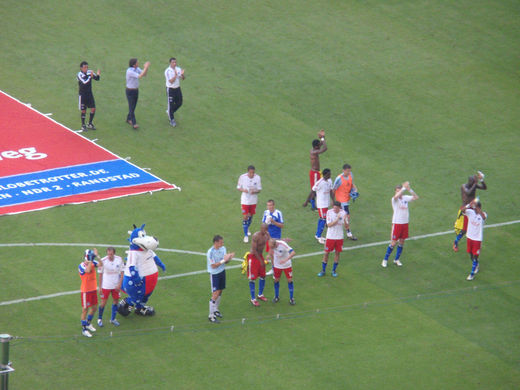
[203, 254]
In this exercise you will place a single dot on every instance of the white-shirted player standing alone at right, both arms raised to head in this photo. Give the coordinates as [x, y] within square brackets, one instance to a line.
[400, 221]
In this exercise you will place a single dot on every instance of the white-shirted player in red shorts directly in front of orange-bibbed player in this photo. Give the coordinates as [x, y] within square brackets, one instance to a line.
[336, 221]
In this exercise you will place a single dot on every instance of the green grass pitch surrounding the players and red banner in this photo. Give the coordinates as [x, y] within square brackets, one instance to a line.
[425, 91]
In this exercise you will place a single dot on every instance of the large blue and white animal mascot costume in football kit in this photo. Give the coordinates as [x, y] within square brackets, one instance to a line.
[141, 273]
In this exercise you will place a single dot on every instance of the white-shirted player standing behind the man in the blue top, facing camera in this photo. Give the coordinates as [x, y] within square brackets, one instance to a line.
[249, 184]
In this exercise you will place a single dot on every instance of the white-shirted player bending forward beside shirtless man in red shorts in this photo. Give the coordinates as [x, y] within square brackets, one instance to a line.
[281, 254]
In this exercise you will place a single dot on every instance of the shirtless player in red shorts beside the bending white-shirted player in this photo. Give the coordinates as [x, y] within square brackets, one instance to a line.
[256, 264]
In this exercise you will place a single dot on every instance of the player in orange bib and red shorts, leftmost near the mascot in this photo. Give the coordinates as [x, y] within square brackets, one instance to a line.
[87, 273]
